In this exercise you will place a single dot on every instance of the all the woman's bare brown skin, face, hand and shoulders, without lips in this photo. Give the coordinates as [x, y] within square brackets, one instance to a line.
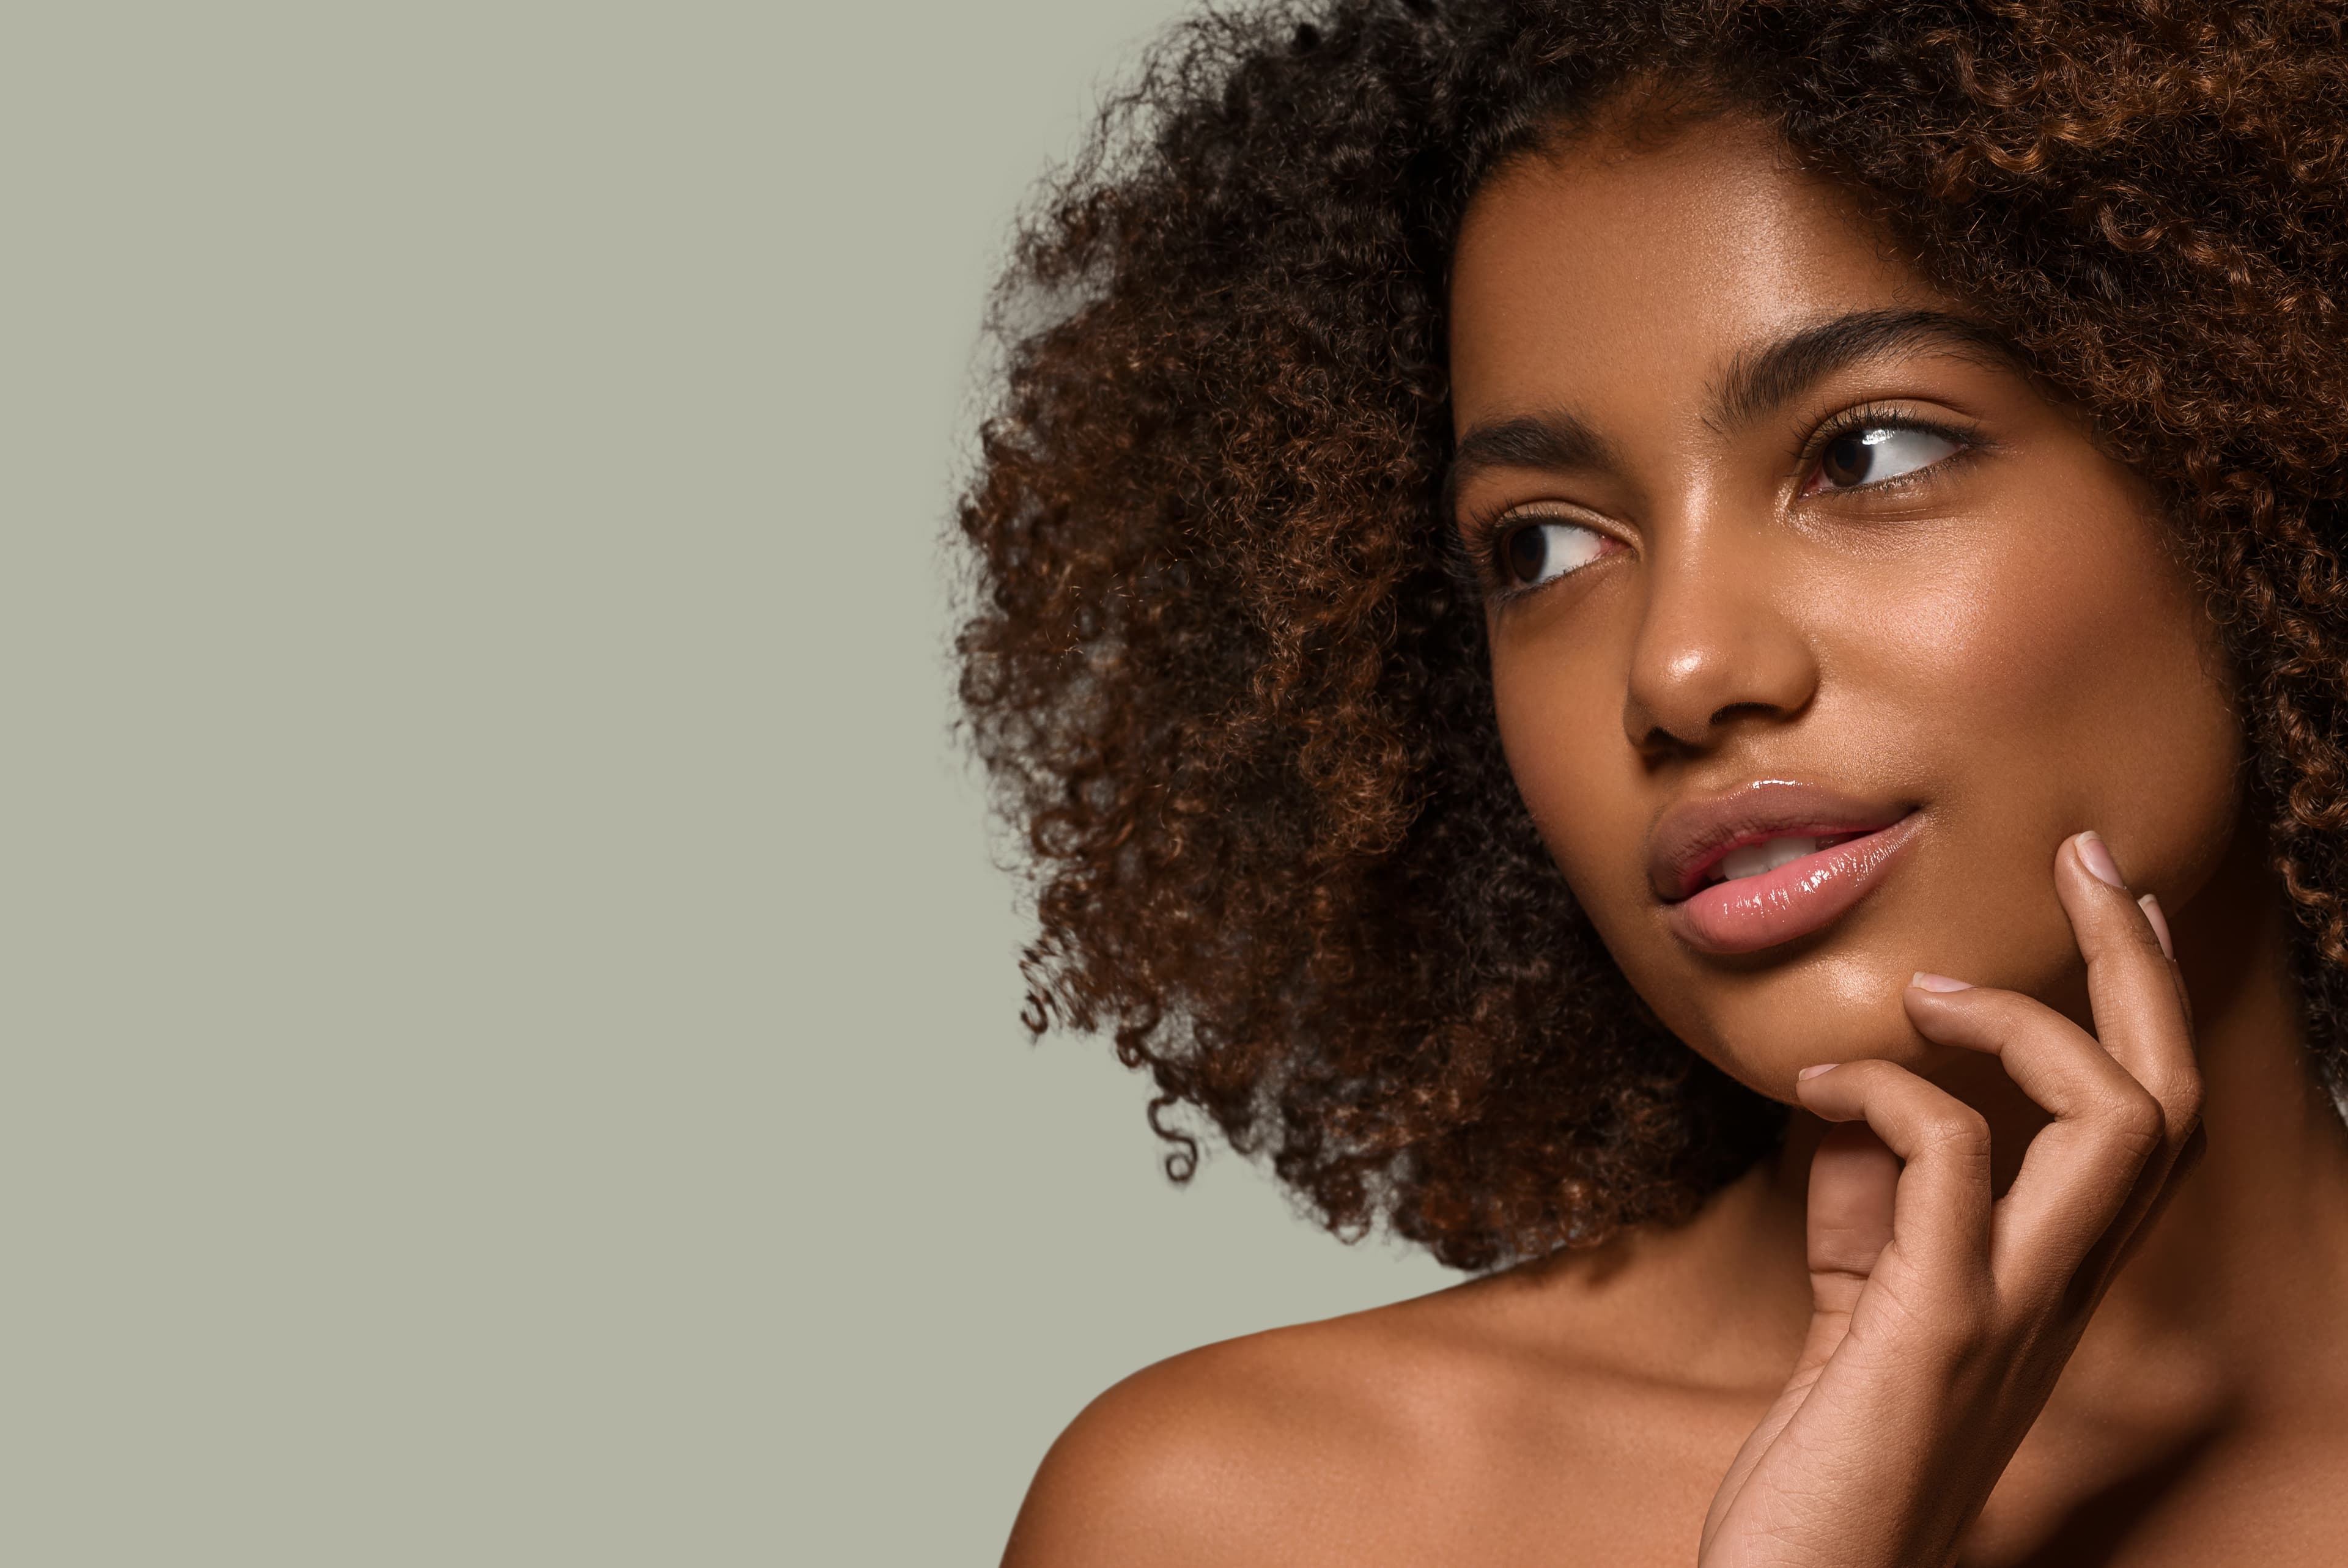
[2056, 1262]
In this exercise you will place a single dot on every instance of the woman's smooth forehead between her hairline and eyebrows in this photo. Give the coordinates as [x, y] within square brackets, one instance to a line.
[1633, 271]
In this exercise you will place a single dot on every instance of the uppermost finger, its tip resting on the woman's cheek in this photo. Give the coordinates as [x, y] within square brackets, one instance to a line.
[2131, 980]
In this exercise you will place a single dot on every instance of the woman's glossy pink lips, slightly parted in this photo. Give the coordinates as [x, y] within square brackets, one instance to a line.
[1795, 900]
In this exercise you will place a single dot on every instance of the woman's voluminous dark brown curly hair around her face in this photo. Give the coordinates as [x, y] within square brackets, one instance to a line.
[1224, 670]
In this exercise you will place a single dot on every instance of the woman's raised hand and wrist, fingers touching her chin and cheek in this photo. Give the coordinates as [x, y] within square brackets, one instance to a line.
[1941, 1318]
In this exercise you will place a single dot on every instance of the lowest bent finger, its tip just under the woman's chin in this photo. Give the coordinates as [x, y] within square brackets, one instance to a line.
[1941, 1208]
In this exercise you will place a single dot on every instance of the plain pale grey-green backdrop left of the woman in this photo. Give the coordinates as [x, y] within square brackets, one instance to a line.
[508, 1015]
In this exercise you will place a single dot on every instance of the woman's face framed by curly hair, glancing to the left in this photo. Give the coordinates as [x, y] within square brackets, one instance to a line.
[1814, 623]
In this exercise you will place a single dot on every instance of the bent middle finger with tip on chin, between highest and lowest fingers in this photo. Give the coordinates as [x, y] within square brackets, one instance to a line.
[2082, 1170]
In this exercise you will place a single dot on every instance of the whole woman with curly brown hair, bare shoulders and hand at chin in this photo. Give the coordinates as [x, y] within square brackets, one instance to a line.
[1694, 656]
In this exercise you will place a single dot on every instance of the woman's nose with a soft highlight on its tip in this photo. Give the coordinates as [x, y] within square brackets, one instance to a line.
[1718, 642]
